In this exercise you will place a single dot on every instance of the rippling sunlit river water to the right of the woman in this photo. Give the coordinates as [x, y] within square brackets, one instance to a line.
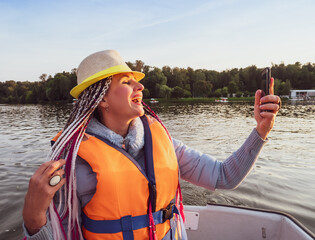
[283, 178]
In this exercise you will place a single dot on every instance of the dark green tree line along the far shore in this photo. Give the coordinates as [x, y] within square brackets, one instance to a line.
[169, 83]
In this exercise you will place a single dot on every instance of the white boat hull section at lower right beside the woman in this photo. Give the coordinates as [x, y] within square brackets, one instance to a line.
[221, 222]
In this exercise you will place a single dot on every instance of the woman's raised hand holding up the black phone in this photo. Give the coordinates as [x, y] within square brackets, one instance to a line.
[265, 110]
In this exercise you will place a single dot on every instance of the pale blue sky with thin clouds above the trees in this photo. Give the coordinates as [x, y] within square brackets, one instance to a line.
[42, 36]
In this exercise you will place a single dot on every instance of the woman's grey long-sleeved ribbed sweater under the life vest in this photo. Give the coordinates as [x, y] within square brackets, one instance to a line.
[195, 167]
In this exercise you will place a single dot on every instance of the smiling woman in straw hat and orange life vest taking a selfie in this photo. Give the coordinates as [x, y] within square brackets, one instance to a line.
[121, 165]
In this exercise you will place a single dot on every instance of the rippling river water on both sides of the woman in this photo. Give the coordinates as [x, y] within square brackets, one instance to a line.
[283, 178]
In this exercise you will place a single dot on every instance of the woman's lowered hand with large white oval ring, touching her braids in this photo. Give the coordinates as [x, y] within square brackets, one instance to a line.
[40, 194]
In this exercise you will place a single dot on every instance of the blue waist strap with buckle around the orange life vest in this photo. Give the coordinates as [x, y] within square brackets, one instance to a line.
[127, 223]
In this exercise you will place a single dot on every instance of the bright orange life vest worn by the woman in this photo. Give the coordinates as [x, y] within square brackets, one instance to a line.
[122, 190]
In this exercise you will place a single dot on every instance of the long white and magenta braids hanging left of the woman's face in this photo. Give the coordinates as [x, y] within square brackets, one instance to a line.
[67, 146]
